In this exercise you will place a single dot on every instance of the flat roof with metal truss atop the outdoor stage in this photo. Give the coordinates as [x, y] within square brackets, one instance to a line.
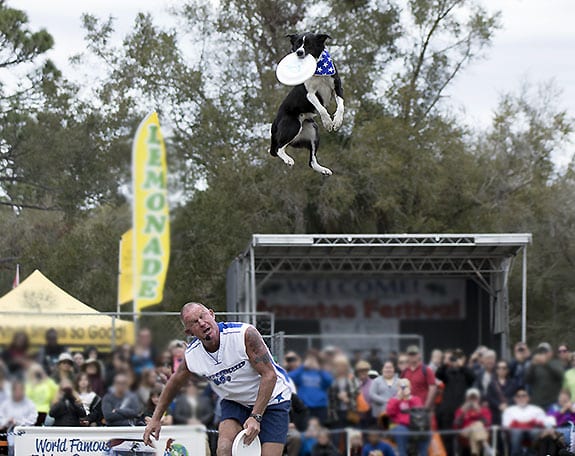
[443, 254]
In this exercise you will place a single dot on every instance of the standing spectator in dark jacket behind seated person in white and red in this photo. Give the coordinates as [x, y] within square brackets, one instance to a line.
[544, 377]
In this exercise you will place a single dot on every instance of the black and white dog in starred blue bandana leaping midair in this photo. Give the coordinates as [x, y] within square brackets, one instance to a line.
[294, 124]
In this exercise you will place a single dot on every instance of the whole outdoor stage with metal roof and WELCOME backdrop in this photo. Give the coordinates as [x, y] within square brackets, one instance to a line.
[450, 288]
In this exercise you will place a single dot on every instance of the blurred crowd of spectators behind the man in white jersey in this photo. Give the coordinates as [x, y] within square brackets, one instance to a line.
[395, 402]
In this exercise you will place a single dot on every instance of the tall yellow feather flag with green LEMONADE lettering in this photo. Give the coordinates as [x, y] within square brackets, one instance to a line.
[151, 224]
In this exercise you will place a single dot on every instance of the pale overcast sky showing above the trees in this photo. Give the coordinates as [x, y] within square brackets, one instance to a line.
[536, 44]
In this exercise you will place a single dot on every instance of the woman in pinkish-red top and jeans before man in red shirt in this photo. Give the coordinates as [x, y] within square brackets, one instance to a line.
[398, 410]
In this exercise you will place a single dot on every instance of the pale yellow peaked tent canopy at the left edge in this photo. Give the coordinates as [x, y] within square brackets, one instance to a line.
[37, 305]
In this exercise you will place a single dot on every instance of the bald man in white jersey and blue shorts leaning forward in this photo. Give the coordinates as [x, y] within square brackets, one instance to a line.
[233, 357]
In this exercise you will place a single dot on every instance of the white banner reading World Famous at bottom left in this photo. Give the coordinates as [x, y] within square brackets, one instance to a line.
[109, 441]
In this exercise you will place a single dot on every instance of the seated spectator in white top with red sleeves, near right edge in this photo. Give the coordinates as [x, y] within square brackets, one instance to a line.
[525, 421]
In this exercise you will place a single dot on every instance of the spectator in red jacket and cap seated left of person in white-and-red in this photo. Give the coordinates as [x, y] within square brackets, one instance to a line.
[473, 419]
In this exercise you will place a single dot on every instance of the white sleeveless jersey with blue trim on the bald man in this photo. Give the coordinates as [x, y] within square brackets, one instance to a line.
[229, 370]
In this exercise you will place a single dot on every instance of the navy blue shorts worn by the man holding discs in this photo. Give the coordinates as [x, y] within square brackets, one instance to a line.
[275, 422]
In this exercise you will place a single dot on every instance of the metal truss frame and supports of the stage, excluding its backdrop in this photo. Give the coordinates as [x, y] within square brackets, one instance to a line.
[485, 258]
